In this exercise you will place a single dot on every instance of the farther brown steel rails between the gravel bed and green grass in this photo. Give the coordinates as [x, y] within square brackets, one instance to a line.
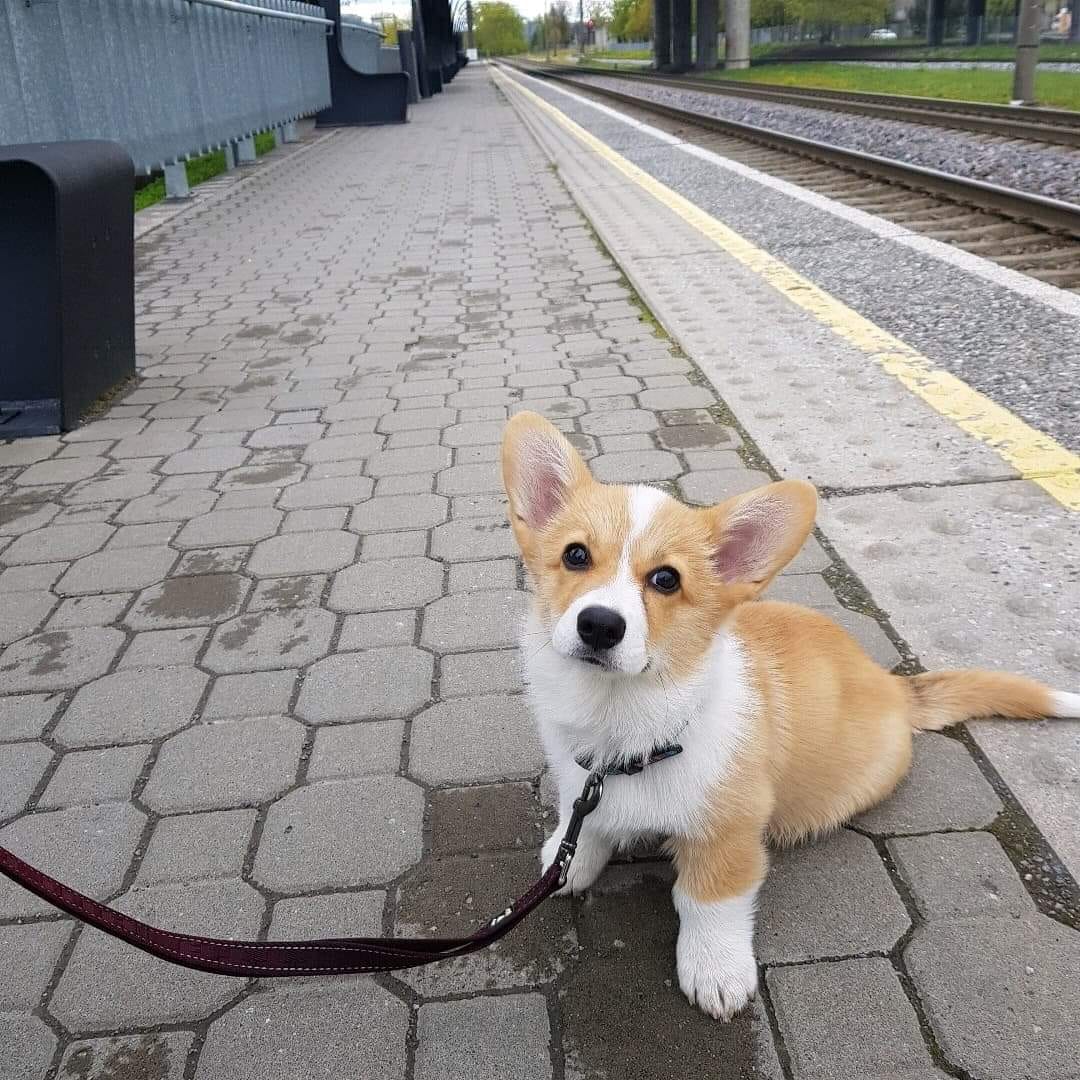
[1057, 127]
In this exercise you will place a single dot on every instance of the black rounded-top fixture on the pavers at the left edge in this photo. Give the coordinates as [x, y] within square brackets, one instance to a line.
[67, 281]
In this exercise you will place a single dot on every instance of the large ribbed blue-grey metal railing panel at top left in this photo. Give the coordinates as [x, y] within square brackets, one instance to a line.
[167, 79]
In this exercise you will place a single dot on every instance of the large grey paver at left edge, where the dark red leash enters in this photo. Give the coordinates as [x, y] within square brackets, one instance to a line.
[89, 848]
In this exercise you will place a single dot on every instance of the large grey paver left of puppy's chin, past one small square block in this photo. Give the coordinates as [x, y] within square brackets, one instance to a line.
[374, 685]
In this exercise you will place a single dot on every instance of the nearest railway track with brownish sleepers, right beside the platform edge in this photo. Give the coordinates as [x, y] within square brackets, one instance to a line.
[1030, 234]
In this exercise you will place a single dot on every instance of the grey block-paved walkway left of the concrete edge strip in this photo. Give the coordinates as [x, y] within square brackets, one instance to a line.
[260, 674]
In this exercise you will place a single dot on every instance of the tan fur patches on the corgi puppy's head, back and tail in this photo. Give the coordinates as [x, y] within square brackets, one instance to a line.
[831, 735]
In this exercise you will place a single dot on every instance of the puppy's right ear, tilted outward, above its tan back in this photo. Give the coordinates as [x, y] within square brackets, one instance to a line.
[757, 535]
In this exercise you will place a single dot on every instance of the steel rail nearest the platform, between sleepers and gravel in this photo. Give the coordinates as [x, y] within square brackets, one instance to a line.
[1052, 214]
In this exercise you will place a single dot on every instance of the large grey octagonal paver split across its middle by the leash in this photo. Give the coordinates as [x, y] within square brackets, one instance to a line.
[107, 984]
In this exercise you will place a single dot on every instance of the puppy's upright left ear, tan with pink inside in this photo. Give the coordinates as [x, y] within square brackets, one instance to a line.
[541, 469]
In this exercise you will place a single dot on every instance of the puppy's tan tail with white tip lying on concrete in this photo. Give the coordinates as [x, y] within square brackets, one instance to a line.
[940, 699]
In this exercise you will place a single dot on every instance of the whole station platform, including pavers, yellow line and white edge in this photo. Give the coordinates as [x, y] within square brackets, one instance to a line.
[259, 618]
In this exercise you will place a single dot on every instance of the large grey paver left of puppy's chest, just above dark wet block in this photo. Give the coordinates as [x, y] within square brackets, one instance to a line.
[474, 739]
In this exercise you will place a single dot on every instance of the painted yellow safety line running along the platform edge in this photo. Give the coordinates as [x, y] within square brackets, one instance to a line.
[1036, 456]
